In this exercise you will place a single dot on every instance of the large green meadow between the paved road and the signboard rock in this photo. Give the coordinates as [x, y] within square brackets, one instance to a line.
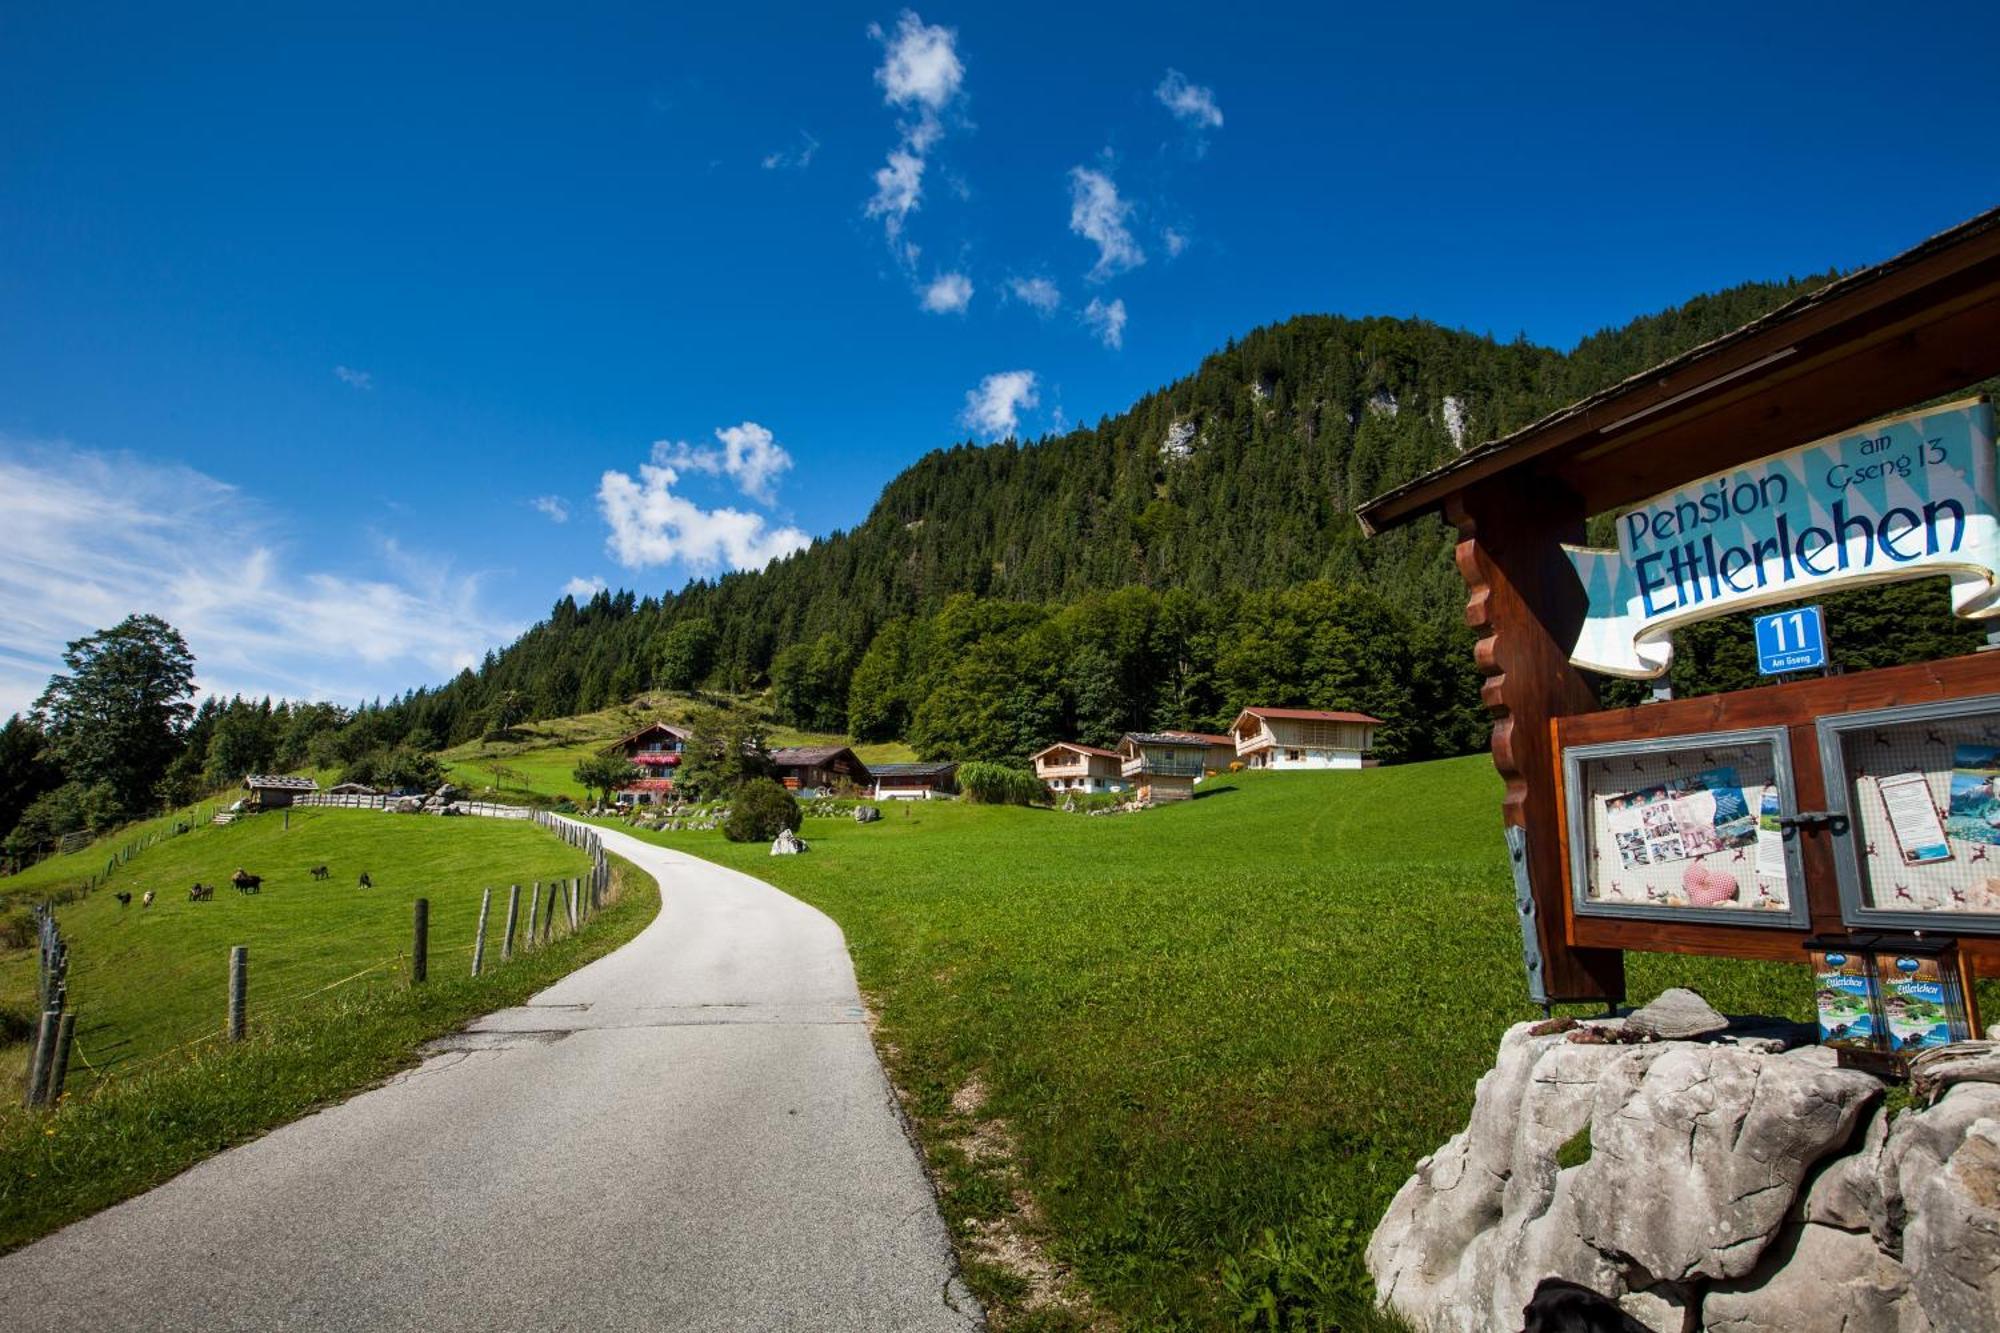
[1219, 1034]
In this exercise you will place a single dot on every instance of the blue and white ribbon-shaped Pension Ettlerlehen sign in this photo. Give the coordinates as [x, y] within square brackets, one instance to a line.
[1899, 499]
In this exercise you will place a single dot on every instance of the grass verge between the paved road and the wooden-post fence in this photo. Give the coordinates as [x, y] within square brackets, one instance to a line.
[137, 1132]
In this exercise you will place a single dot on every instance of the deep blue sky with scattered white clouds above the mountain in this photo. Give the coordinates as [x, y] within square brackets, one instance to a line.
[349, 339]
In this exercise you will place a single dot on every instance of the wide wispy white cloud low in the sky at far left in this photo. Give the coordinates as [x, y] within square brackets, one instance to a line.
[97, 537]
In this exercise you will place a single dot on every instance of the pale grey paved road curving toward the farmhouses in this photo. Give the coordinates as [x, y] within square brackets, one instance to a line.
[689, 1134]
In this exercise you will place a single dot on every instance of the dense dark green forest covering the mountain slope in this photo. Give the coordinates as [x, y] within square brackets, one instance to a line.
[1155, 571]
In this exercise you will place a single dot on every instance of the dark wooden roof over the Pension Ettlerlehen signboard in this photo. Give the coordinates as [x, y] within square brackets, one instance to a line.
[1909, 329]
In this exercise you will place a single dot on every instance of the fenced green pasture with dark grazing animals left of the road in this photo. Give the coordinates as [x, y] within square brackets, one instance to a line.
[147, 982]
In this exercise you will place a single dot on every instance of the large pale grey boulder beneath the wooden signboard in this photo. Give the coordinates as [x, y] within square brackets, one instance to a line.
[1727, 1186]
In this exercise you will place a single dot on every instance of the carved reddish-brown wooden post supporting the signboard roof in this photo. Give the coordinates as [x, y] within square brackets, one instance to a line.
[1527, 607]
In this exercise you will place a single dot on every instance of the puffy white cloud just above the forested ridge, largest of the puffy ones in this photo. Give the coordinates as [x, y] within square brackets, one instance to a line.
[651, 525]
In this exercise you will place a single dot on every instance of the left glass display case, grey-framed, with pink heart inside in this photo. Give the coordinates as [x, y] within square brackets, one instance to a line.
[1685, 830]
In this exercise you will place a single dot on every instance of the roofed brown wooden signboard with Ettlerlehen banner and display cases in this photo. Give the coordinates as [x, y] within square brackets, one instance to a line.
[1745, 473]
